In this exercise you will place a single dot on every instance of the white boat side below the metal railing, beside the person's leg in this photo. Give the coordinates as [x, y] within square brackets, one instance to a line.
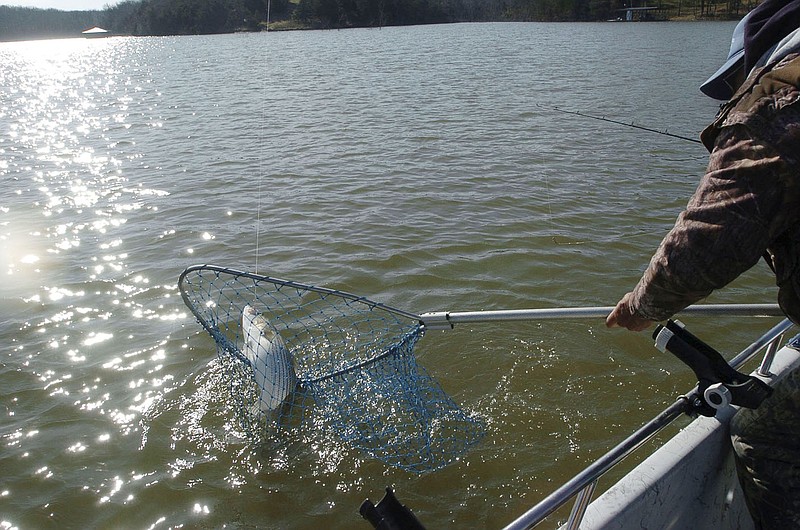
[689, 482]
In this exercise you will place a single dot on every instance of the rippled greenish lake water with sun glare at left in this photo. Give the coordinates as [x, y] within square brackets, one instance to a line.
[422, 167]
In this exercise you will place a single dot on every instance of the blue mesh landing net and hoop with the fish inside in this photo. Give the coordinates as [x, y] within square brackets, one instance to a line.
[303, 357]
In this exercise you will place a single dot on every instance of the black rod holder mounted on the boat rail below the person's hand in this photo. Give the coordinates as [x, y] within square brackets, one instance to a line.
[719, 384]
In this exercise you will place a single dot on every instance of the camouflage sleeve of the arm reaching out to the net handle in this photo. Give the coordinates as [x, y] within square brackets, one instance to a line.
[724, 230]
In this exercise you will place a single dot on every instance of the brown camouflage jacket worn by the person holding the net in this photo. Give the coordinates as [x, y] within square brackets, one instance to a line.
[746, 206]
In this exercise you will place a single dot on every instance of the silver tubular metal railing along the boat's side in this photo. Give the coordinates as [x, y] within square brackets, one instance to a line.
[583, 485]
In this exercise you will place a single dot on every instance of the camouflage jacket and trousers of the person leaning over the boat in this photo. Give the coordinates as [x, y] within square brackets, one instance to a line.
[747, 206]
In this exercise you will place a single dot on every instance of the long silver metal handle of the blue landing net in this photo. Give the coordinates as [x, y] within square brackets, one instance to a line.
[447, 320]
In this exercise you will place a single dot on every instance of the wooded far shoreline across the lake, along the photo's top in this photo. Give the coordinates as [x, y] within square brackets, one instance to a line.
[191, 17]
